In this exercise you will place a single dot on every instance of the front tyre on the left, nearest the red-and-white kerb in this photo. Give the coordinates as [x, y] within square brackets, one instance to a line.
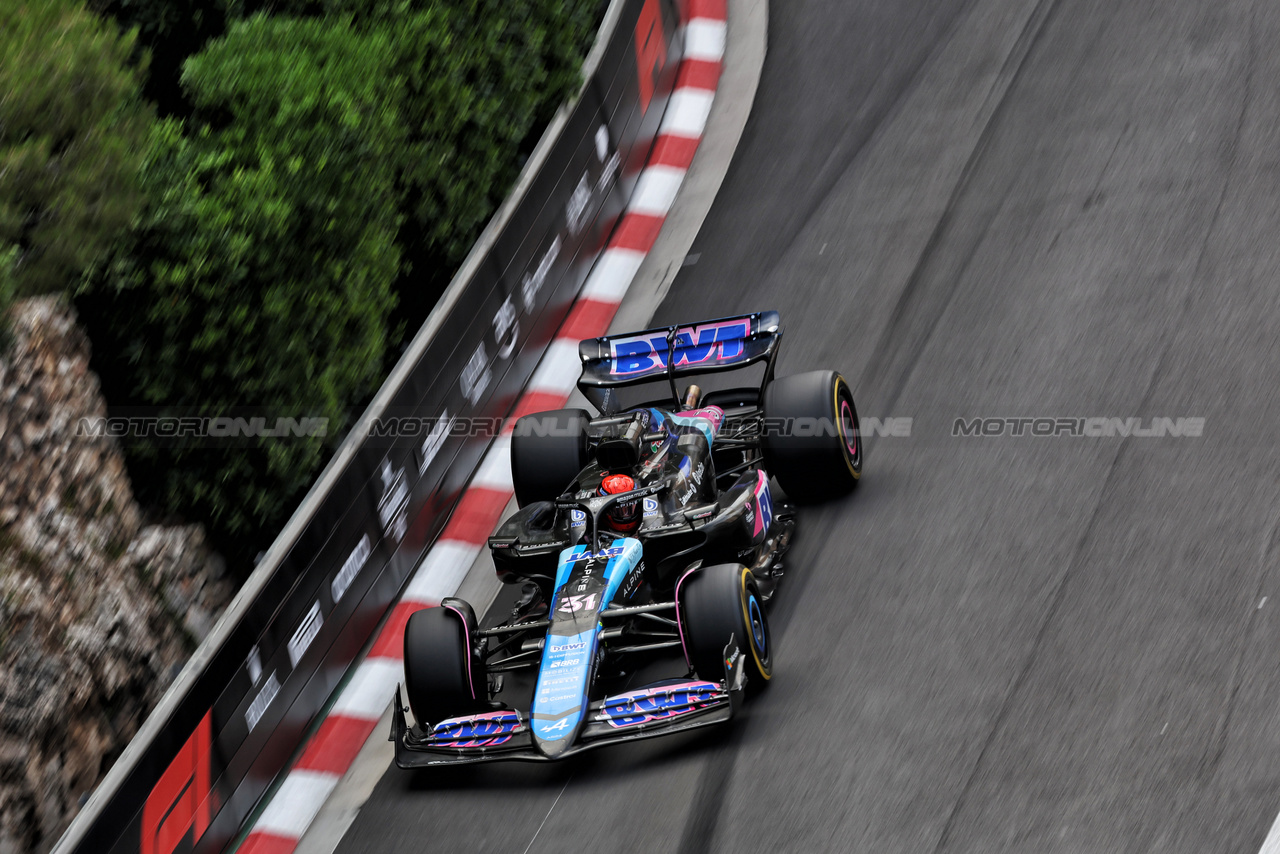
[444, 675]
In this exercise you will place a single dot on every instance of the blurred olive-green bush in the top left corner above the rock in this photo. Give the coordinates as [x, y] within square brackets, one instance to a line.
[72, 135]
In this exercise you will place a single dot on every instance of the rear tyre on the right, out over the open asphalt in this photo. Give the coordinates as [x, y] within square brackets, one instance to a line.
[812, 441]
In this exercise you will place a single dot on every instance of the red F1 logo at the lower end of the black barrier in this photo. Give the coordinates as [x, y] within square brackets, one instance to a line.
[180, 801]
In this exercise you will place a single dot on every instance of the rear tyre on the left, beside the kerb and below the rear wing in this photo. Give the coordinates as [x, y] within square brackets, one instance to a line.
[548, 450]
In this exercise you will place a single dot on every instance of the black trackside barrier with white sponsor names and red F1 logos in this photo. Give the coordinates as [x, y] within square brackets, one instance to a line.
[237, 713]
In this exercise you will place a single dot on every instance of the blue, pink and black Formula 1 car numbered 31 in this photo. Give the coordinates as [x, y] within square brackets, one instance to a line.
[650, 531]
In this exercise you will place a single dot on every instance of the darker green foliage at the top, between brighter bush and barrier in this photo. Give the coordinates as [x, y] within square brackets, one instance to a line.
[482, 79]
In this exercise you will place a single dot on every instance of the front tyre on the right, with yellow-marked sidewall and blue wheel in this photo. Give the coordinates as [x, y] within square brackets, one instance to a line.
[717, 602]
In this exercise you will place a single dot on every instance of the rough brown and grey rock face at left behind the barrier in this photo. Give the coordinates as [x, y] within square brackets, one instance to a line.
[98, 611]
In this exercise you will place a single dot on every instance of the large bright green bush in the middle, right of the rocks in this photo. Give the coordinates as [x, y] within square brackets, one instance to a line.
[260, 275]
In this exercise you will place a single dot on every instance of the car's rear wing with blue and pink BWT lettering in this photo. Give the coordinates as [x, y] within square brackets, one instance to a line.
[668, 353]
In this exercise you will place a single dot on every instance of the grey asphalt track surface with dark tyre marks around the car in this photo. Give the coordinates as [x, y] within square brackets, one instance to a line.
[1000, 208]
